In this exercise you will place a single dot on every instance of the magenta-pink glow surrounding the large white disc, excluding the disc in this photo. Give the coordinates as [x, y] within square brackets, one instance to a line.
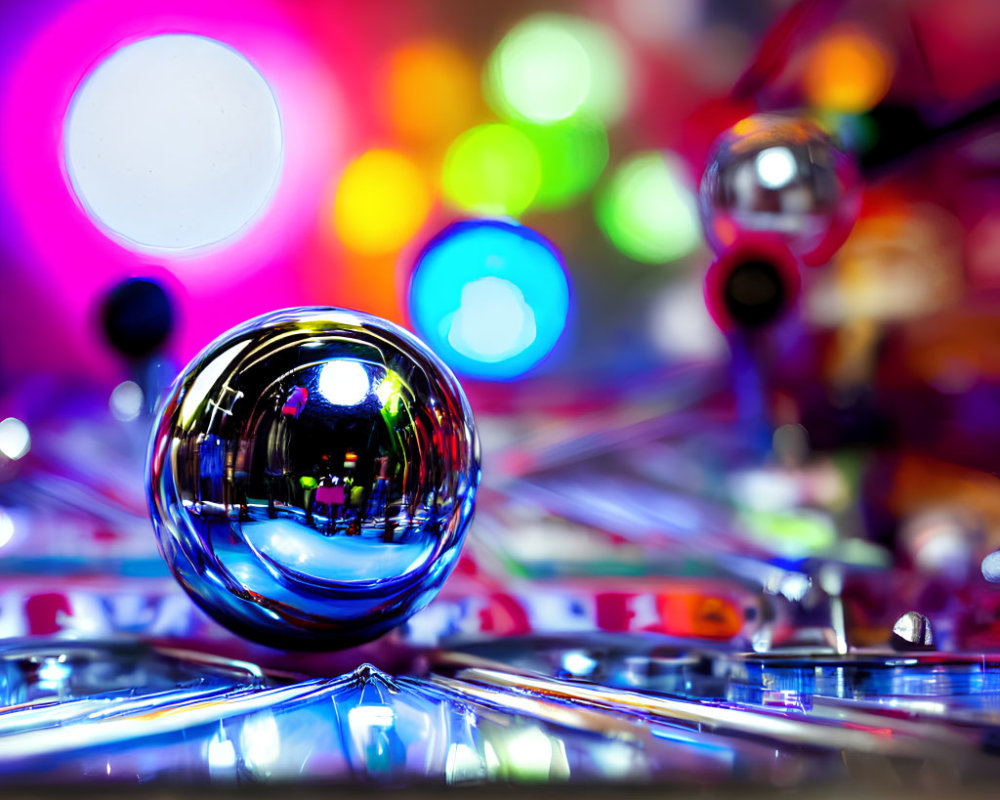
[64, 262]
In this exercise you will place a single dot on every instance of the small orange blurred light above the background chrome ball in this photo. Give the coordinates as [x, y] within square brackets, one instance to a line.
[847, 71]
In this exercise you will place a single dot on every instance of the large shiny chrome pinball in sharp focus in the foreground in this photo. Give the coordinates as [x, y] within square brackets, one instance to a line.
[311, 475]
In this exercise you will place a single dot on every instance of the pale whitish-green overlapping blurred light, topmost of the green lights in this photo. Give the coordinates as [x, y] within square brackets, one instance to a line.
[549, 67]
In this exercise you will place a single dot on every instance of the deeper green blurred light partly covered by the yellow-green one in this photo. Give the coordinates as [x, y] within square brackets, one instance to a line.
[572, 155]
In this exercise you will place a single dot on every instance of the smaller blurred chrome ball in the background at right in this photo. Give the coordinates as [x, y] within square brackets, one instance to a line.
[772, 173]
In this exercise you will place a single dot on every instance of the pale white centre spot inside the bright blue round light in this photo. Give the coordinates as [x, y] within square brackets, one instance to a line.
[493, 322]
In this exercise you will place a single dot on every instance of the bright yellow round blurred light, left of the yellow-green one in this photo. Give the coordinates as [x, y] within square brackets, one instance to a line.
[382, 201]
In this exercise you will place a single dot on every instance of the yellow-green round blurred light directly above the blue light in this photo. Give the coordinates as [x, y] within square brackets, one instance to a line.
[491, 170]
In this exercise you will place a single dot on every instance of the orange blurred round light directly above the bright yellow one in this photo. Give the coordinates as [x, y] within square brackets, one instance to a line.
[429, 91]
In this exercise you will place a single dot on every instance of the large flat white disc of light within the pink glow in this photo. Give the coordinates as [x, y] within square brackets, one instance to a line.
[173, 143]
